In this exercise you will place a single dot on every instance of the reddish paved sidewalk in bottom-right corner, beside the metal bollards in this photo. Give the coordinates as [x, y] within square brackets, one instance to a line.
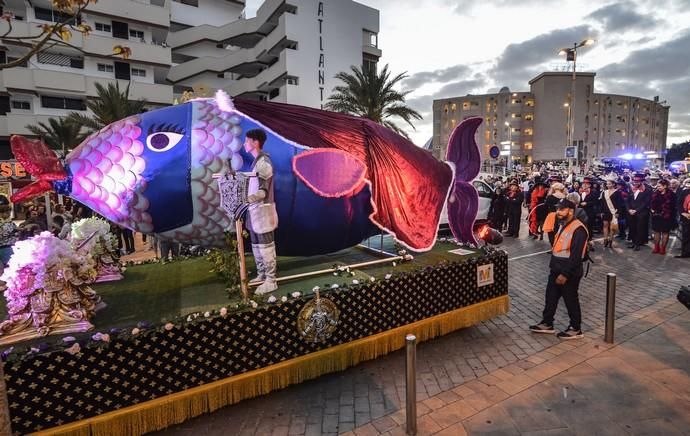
[638, 386]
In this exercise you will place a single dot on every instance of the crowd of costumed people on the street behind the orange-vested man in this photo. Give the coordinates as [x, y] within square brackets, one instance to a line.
[635, 207]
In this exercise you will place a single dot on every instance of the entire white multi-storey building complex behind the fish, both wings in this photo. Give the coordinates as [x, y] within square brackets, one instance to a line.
[290, 53]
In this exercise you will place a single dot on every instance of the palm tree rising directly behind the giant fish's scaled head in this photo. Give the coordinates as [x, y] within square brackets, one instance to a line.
[110, 106]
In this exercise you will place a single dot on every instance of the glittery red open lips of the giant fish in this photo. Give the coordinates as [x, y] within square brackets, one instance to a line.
[39, 161]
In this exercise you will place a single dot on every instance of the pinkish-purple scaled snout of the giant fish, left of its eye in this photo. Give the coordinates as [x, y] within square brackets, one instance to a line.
[107, 174]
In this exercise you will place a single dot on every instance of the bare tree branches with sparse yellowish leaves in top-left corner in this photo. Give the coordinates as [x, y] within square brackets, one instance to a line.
[66, 16]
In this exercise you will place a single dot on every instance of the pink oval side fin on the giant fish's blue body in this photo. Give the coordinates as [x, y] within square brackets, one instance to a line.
[315, 168]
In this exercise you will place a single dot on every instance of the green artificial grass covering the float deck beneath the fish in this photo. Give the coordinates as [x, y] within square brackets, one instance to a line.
[157, 293]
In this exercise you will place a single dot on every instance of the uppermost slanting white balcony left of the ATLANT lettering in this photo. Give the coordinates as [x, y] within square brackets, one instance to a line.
[243, 33]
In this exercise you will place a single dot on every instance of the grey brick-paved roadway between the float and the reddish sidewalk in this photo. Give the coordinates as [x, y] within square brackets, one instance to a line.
[348, 400]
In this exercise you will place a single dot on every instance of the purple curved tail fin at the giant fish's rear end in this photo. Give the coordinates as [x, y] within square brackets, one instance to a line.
[463, 202]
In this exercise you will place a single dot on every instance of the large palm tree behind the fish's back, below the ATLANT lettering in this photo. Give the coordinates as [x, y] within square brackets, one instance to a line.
[369, 94]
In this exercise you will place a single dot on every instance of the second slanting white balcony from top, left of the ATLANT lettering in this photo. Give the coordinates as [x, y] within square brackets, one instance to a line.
[264, 52]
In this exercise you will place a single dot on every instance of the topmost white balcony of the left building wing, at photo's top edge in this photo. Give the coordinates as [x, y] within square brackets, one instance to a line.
[135, 10]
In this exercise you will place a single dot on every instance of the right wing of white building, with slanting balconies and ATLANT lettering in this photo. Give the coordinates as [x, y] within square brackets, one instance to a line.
[289, 53]
